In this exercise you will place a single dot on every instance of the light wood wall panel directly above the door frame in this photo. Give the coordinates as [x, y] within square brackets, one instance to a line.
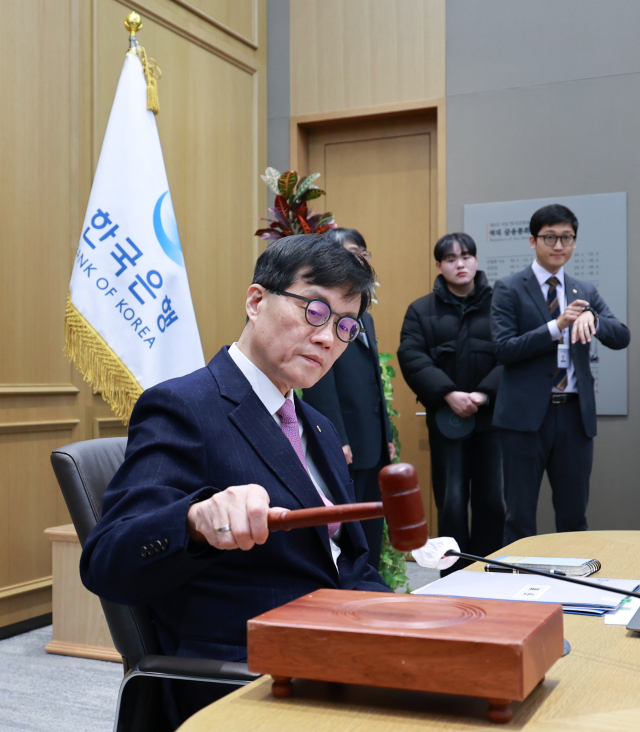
[364, 53]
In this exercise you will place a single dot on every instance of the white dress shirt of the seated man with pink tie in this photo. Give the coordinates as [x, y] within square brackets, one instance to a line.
[272, 398]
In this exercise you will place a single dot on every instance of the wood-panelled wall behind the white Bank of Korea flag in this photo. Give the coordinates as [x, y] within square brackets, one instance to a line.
[57, 94]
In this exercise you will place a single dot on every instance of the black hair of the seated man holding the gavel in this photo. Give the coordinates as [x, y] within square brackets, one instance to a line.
[319, 261]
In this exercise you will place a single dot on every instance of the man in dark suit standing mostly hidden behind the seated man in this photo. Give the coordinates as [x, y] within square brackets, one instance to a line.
[351, 395]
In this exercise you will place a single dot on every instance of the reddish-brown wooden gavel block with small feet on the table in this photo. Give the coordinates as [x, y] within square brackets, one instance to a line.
[484, 648]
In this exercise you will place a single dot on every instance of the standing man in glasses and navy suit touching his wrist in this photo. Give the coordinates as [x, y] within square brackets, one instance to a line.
[542, 321]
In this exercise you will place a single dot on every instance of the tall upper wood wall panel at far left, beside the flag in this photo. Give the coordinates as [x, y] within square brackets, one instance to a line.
[34, 214]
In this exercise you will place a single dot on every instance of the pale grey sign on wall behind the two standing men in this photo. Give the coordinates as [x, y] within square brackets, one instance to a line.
[501, 232]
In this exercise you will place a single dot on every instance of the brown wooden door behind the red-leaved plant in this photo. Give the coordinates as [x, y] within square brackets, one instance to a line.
[380, 178]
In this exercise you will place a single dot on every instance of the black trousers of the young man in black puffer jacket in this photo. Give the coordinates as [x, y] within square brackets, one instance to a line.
[469, 472]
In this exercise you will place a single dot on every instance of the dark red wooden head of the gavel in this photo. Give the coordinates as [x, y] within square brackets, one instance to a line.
[403, 507]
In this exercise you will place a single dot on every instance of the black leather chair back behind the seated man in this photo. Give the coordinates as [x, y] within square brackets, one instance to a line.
[84, 470]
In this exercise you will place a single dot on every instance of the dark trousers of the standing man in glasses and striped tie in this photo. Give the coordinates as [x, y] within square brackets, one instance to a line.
[560, 447]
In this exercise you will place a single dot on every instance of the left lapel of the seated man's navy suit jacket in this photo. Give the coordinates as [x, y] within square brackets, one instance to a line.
[261, 430]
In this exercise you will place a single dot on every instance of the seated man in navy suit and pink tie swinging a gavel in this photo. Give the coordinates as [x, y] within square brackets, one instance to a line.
[211, 454]
